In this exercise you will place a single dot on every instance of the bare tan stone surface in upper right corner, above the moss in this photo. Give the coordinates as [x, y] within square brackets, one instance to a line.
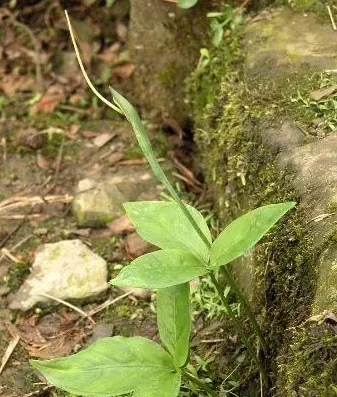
[288, 41]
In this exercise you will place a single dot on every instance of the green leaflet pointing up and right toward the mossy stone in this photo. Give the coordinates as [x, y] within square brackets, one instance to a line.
[243, 233]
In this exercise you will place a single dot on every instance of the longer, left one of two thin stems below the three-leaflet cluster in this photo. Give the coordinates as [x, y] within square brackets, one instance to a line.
[239, 329]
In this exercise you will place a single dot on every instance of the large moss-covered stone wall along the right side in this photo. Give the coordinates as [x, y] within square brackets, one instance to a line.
[265, 137]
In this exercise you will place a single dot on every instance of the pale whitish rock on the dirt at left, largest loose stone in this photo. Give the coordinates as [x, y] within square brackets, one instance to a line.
[67, 270]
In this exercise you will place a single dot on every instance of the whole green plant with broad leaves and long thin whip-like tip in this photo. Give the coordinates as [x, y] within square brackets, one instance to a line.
[118, 365]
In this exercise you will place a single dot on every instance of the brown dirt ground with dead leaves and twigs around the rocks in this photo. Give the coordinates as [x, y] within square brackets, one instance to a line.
[52, 134]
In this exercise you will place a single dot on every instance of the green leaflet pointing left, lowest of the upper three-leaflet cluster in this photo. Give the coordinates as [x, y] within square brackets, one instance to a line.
[160, 269]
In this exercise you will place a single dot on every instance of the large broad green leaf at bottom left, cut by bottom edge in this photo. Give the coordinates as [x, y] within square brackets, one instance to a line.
[115, 366]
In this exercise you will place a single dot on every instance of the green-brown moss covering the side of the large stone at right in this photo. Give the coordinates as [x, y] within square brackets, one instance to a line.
[230, 109]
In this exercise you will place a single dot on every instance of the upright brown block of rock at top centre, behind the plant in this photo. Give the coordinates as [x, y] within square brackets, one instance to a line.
[156, 25]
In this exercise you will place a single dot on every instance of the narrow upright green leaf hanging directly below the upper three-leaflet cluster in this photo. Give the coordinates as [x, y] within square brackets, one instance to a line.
[174, 320]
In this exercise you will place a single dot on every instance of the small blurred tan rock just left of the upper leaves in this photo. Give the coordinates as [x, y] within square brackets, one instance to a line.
[97, 203]
